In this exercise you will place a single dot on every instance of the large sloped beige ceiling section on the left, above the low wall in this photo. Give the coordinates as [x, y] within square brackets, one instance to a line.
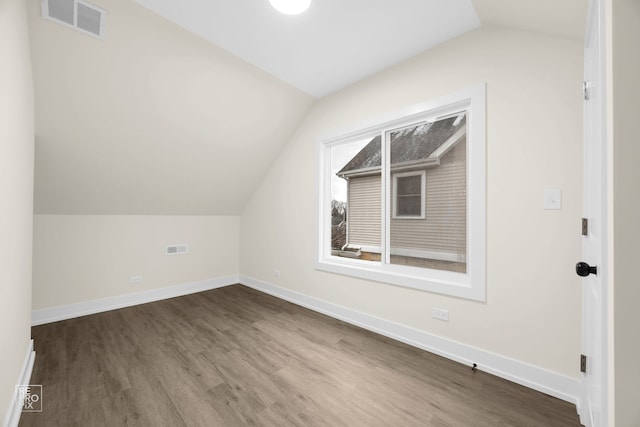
[151, 120]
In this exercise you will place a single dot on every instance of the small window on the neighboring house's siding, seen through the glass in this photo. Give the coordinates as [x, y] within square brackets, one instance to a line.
[409, 191]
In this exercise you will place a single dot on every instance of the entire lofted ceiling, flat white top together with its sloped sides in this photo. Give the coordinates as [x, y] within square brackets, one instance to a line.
[184, 105]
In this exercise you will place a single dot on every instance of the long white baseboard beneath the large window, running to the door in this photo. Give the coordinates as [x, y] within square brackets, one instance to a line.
[530, 376]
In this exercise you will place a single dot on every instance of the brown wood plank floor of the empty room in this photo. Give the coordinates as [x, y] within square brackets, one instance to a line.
[238, 357]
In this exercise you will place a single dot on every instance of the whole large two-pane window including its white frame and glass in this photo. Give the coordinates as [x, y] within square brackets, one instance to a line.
[403, 202]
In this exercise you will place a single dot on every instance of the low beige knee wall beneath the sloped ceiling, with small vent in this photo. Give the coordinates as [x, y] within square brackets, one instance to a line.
[77, 258]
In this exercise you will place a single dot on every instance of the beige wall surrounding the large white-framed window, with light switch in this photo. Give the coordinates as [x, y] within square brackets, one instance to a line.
[534, 108]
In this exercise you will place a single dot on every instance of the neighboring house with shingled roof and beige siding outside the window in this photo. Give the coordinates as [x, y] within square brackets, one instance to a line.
[428, 196]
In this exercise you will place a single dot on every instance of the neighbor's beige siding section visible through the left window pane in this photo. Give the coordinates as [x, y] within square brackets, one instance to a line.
[363, 212]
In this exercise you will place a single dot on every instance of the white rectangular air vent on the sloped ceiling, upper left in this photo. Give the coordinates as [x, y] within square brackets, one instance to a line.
[77, 14]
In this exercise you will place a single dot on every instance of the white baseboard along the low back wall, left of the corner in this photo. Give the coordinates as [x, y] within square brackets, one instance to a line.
[54, 314]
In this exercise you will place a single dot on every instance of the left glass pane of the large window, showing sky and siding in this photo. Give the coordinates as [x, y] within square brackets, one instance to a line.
[356, 200]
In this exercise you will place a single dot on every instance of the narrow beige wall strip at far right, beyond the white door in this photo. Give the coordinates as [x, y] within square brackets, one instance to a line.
[626, 210]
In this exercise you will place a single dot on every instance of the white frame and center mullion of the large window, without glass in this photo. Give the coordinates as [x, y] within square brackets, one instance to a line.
[470, 285]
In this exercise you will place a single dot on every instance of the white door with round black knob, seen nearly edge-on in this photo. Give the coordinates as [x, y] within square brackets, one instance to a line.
[593, 407]
